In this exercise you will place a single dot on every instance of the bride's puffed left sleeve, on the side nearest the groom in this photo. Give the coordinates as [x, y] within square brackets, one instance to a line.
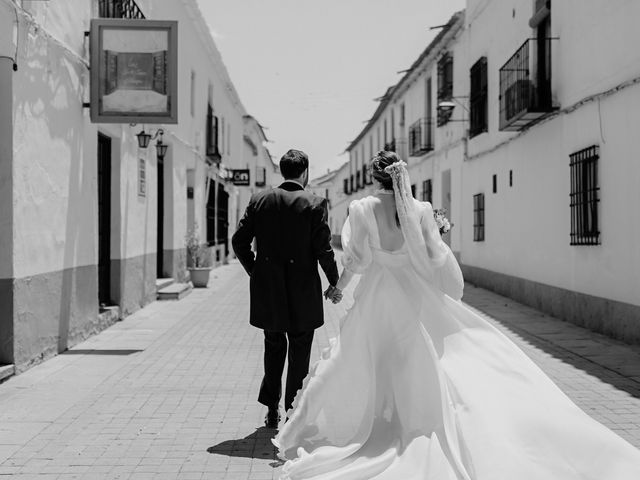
[357, 252]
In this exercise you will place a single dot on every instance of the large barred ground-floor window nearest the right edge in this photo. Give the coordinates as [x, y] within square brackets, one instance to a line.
[584, 196]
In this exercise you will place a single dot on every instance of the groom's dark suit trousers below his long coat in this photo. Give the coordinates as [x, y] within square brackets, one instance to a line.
[275, 353]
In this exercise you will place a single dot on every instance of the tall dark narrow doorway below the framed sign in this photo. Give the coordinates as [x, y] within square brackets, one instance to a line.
[104, 219]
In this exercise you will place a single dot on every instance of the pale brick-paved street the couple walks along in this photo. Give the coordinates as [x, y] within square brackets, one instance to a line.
[169, 393]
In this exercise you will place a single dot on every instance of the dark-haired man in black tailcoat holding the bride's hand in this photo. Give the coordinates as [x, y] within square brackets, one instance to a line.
[290, 227]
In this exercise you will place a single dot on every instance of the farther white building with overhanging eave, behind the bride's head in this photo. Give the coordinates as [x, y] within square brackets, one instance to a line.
[407, 122]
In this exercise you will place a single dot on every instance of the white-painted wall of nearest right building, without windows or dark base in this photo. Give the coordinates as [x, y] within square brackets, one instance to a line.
[528, 225]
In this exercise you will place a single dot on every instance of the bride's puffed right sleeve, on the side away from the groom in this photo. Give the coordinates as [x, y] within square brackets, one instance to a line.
[447, 274]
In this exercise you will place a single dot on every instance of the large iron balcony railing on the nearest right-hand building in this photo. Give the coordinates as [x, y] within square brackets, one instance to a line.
[525, 85]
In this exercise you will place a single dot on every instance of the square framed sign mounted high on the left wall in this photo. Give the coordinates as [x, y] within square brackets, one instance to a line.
[134, 71]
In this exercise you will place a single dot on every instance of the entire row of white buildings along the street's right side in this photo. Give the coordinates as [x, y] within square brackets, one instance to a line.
[532, 109]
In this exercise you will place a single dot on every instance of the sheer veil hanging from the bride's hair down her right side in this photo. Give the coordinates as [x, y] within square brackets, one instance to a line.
[432, 259]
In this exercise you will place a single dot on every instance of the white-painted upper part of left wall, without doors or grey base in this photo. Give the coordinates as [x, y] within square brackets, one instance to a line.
[55, 170]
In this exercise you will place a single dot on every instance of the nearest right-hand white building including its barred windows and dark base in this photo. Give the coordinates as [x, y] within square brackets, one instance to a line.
[558, 230]
